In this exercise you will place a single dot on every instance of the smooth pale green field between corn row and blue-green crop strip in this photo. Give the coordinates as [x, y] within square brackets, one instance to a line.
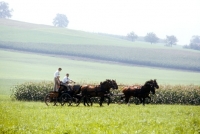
[19, 67]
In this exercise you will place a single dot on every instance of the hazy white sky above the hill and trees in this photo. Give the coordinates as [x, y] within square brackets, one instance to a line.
[180, 18]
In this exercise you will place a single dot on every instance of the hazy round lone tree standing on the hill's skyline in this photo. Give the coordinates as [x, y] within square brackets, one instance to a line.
[60, 20]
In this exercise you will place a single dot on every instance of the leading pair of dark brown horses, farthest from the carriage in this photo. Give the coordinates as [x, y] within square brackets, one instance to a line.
[141, 92]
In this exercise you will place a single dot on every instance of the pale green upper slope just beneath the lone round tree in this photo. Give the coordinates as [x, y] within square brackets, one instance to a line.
[15, 31]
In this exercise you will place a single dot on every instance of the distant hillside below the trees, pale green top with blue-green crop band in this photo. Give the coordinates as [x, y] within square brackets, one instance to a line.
[65, 42]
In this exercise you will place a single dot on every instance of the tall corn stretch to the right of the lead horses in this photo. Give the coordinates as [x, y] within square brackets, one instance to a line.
[178, 94]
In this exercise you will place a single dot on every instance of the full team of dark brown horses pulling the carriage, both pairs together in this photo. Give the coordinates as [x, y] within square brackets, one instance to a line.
[102, 91]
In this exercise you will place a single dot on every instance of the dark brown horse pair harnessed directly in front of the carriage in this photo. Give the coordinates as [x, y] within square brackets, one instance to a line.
[102, 91]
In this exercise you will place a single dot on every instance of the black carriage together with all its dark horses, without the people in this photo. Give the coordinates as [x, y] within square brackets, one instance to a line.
[102, 91]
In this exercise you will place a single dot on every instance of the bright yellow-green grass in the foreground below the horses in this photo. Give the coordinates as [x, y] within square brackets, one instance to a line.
[35, 117]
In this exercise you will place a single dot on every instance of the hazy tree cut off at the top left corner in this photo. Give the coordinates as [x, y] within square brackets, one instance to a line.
[4, 10]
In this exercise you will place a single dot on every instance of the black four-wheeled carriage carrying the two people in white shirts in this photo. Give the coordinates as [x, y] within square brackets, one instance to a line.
[64, 96]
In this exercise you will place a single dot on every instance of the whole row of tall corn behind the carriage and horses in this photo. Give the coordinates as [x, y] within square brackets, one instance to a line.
[166, 94]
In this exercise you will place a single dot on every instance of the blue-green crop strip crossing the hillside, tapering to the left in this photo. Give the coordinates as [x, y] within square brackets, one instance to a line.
[124, 55]
